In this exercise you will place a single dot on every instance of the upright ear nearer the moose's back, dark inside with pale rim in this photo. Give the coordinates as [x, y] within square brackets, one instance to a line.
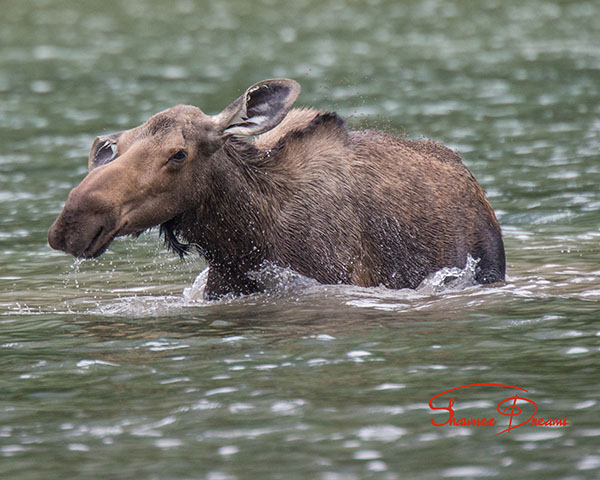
[262, 107]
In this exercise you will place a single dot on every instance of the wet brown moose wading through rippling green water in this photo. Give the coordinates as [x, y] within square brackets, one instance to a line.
[261, 183]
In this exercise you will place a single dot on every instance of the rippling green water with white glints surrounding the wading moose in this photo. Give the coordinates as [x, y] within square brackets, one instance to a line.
[109, 370]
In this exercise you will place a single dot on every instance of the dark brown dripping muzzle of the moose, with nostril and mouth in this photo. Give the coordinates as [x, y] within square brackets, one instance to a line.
[86, 226]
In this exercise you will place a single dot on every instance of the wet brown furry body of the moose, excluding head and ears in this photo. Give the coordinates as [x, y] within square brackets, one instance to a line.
[340, 206]
